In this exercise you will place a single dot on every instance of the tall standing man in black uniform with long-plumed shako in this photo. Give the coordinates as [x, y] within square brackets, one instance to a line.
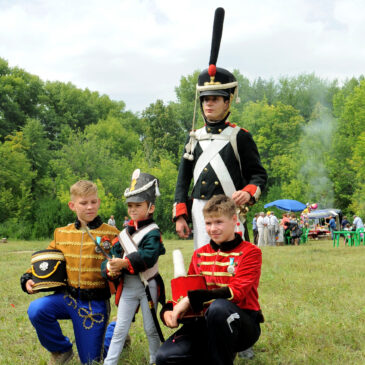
[221, 158]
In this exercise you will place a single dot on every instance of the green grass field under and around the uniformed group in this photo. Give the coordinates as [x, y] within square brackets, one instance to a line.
[312, 297]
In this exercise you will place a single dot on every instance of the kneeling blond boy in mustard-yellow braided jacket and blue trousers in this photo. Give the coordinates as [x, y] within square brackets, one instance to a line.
[85, 299]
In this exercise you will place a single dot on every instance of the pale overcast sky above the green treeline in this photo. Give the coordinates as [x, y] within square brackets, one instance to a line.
[137, 50]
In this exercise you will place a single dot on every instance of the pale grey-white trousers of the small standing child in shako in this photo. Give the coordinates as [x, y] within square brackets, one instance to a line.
[132, 295]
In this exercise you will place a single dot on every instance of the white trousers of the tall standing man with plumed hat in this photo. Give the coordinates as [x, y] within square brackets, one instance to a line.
[201, 237]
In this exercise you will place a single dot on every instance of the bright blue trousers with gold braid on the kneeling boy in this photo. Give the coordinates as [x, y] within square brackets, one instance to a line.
[89, 320]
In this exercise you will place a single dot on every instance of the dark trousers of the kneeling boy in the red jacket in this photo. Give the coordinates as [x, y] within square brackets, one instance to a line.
[214, 340]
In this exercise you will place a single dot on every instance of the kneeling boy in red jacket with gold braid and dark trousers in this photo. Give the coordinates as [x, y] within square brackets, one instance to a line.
[232, 269]
